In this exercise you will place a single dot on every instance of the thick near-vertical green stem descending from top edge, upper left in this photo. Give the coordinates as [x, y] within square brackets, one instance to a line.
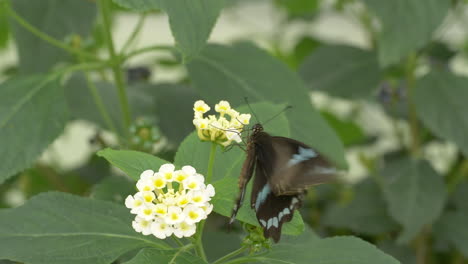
[116, 67]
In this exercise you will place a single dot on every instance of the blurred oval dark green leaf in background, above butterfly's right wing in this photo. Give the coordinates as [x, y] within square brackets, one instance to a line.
[342, 71]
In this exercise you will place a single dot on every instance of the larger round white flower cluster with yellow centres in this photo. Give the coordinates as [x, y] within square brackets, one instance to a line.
[170, 202]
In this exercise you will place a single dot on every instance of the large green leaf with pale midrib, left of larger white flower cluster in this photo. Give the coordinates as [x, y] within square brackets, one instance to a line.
[55, 228]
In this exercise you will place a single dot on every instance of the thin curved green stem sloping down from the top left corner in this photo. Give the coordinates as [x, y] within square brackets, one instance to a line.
[47, 38]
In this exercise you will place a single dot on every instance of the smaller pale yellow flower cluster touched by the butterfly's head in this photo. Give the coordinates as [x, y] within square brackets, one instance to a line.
[222, 130]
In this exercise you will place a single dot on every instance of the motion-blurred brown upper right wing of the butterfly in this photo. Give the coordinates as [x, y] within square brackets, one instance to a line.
[296, 167]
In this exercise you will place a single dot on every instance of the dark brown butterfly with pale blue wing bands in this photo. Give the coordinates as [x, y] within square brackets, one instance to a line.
[284, 168]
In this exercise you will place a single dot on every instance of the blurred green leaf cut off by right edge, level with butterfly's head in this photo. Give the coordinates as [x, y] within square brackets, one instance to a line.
[440, 101]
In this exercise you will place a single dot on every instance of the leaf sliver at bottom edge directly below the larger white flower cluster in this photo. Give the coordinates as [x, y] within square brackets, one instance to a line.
[150, 255]
